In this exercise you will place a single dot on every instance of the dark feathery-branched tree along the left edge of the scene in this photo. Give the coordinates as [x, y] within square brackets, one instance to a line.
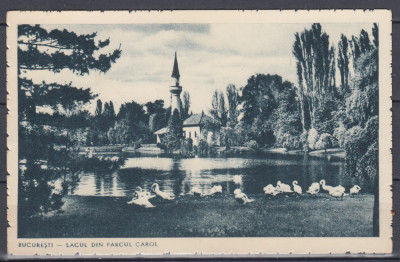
[55, 50]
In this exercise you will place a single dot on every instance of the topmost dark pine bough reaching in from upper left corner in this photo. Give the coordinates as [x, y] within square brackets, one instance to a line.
[39, 49]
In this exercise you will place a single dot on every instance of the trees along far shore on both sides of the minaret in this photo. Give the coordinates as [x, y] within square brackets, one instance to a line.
[317, 112]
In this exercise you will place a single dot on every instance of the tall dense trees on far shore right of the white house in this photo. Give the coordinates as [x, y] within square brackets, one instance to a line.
[318, 112]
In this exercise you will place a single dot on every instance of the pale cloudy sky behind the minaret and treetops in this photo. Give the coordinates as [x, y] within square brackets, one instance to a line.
[210, 56]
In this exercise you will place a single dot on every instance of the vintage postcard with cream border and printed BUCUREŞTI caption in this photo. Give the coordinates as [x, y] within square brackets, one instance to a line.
[181, 133]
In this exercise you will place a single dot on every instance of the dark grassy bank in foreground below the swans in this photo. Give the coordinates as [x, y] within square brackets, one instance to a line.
[217, 216]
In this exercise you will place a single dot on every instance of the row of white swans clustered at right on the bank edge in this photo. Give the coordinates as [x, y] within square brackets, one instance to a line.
[314, 189]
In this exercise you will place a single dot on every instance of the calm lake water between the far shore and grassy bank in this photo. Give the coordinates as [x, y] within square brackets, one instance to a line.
[180, 175]
